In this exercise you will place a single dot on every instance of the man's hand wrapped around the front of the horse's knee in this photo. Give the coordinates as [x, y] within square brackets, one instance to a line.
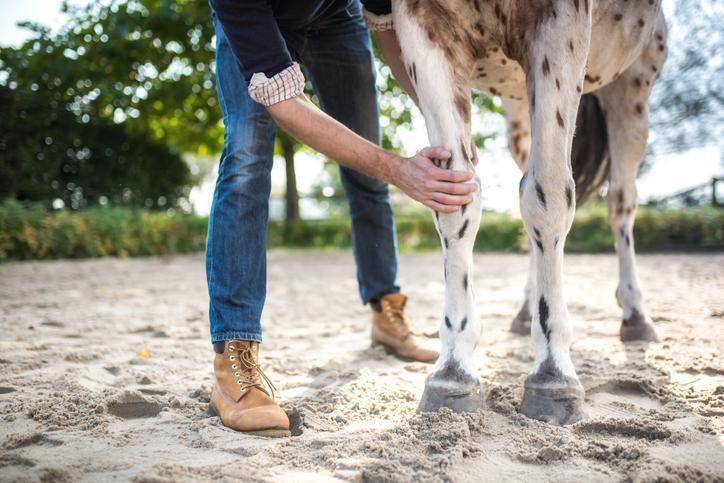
[442, 190]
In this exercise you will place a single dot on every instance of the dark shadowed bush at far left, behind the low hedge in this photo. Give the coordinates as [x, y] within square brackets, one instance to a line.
[48, 155]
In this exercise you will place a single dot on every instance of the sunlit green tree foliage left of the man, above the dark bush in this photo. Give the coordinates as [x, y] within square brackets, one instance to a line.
[146, 64]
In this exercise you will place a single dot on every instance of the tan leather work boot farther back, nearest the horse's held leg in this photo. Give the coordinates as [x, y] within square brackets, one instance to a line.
[391, 329]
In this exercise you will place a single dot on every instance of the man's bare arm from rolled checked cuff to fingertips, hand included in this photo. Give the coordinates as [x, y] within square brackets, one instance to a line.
[439, 189]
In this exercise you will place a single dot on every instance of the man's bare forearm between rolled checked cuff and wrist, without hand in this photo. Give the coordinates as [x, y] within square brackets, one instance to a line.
[303, 120]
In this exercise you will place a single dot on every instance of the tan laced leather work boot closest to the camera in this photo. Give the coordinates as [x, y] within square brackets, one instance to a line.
[239, 397]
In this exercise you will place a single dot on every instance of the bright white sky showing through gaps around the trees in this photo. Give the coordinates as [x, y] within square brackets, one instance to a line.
[499, 175]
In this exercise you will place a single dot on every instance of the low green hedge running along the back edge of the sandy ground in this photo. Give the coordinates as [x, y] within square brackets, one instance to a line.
[31, 232]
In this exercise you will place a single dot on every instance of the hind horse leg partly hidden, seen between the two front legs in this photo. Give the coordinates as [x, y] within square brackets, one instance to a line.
[517, 120]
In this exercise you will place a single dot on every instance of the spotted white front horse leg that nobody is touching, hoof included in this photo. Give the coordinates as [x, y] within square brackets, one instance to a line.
[554, 62]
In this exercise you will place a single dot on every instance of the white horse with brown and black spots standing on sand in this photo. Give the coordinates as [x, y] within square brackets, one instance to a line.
[562, 67]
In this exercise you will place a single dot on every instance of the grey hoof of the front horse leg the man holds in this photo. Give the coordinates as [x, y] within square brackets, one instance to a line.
[458, 397]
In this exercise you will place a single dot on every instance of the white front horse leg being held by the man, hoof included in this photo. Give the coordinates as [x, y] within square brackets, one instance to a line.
[444, 99]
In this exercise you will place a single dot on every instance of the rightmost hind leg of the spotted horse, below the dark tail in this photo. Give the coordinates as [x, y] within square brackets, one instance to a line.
[625, 102]
